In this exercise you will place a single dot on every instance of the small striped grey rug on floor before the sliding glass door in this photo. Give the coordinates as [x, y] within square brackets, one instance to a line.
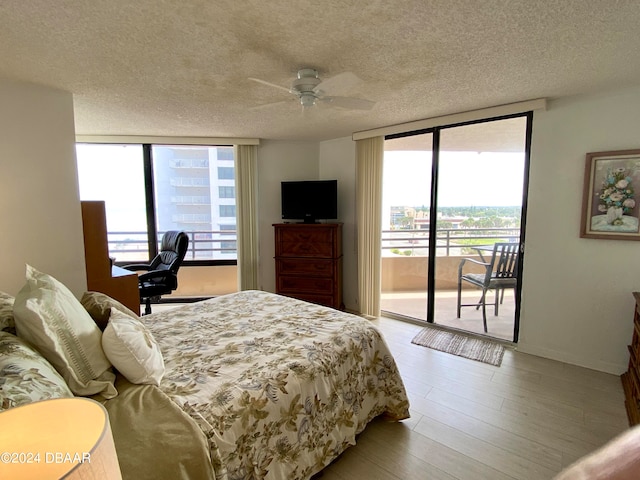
[474, 348]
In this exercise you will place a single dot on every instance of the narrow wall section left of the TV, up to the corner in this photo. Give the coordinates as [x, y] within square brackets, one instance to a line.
[278, 161]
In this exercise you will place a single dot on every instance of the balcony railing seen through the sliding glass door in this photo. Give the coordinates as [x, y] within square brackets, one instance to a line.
[449, 241]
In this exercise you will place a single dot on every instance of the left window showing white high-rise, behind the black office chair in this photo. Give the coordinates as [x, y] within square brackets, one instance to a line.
[173, 187]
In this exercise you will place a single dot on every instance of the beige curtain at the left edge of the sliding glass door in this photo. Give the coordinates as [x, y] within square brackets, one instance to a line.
[369, 155]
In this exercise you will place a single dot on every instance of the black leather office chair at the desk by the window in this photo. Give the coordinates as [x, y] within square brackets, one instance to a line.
[161, 275]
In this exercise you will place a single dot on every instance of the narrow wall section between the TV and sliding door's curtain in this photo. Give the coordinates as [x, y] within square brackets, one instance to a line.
[337, 161]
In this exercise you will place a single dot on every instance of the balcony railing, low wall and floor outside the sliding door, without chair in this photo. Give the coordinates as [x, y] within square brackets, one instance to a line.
[404, 278]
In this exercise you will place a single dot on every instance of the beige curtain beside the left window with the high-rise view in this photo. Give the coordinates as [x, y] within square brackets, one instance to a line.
[246, 166]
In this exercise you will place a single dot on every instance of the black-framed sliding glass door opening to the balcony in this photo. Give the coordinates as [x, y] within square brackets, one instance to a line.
[450, 195]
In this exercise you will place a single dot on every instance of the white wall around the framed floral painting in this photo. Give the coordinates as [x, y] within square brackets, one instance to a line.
[577, 304]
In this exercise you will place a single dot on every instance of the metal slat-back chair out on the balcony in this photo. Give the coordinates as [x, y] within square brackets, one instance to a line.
[500, 272]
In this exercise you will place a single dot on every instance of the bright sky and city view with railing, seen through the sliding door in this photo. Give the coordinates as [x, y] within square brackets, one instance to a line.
[479, 201]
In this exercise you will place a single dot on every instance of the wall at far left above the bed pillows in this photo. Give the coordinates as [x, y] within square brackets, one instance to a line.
[41, 220]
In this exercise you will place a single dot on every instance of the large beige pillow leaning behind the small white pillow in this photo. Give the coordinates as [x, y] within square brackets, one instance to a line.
[50, 318]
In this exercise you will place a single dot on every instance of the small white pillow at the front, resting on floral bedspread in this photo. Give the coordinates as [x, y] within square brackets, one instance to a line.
[131, 348]
